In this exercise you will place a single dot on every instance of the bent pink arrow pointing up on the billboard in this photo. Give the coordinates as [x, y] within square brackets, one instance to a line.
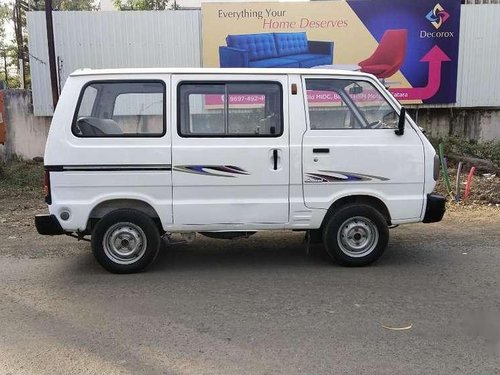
[435, 57]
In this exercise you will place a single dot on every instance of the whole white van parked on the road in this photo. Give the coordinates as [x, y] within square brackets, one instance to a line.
[136, 154]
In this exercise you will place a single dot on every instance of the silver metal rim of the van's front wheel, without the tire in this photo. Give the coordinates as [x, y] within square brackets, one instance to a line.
[357, 236]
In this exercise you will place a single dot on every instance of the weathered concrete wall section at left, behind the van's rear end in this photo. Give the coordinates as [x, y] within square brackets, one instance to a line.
[26, 134]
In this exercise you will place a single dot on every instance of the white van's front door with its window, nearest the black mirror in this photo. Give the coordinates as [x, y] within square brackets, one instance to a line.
[350, 147]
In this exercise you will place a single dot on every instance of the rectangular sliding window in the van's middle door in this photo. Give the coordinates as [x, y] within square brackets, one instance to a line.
[230, 109]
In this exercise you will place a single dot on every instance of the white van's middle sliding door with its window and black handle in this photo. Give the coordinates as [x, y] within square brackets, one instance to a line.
[230, 152]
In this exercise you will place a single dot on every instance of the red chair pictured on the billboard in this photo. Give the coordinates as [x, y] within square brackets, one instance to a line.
[389, 55]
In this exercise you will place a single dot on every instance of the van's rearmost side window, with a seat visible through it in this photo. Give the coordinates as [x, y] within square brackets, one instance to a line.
[121, 109]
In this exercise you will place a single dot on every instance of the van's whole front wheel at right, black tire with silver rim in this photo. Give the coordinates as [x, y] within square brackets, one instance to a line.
[356, 235]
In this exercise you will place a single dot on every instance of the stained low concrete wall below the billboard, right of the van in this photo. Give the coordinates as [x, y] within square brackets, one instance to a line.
[482, 124]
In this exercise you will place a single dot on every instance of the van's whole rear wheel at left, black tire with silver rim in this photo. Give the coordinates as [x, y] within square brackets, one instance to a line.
[125, 241]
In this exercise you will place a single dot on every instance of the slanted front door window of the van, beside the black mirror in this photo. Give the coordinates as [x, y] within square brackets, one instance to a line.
[342, 103]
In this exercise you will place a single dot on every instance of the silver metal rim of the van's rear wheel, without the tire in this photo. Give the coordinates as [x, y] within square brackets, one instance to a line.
[124, 243]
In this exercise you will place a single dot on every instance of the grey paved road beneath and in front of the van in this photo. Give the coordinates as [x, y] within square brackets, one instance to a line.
[256, 306]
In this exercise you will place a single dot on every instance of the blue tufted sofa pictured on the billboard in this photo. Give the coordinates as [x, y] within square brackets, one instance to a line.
[274, 50]
